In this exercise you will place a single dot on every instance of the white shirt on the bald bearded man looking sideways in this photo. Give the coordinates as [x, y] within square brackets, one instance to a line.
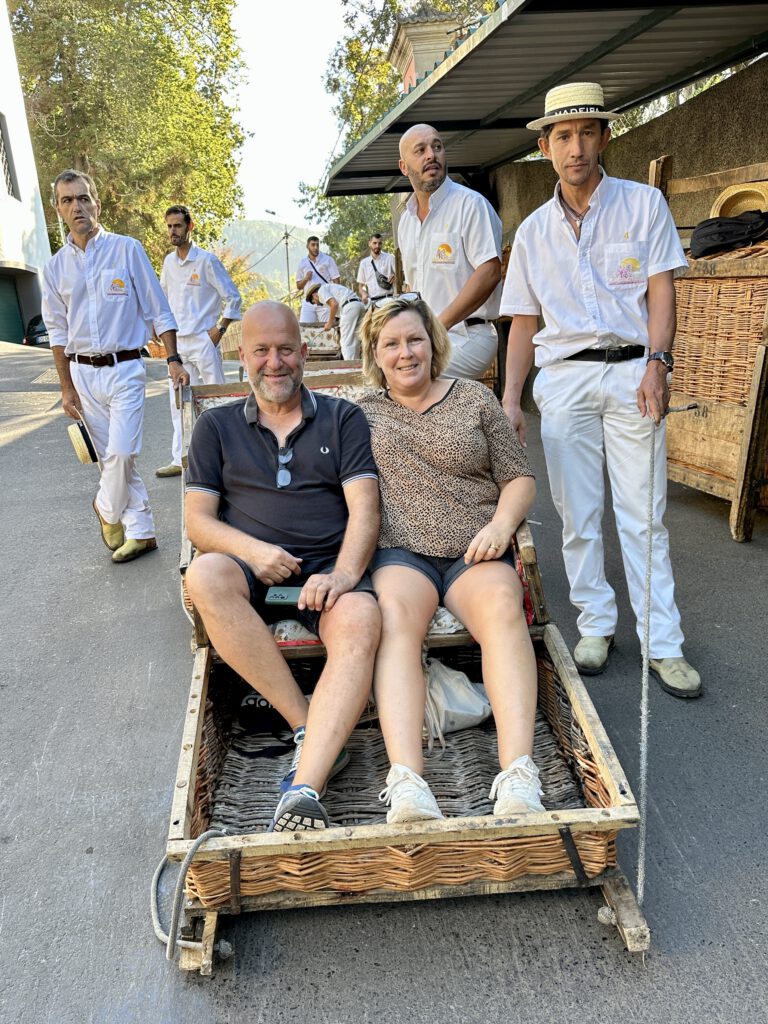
[461, 232]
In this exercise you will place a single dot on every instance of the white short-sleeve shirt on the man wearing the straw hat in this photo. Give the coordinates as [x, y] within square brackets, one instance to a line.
[592, 292]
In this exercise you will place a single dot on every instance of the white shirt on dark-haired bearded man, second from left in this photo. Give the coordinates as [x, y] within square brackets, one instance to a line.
[199, 290]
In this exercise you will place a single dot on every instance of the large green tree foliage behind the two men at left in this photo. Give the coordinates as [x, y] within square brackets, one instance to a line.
[137, 94]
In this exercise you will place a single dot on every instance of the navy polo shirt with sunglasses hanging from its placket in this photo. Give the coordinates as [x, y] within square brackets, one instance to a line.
[233, 456]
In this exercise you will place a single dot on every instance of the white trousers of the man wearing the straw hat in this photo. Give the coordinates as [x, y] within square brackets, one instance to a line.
[590, 419]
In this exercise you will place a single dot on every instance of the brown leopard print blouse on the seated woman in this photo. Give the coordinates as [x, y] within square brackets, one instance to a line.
[440, 471]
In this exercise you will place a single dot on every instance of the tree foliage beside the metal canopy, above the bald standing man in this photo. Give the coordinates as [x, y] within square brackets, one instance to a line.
[365, 88]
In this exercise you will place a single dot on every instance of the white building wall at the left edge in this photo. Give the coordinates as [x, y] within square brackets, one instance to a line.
[24, 240]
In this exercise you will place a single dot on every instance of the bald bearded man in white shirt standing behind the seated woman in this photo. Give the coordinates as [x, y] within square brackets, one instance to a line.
[451, 243]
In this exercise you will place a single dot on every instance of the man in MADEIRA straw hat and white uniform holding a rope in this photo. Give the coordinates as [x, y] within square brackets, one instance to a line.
[596, 264]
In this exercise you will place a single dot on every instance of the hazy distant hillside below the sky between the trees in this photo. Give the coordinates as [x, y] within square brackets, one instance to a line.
[262, 242]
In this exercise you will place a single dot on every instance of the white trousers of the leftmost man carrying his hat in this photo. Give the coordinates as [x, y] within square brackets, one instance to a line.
[113, 401]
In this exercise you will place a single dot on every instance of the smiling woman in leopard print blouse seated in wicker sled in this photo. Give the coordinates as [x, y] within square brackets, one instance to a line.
[455, 485]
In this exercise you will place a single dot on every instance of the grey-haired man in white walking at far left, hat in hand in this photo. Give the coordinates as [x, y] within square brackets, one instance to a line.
[100, 292]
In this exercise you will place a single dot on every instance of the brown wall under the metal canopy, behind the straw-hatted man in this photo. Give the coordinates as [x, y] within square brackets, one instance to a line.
[727, 126]
